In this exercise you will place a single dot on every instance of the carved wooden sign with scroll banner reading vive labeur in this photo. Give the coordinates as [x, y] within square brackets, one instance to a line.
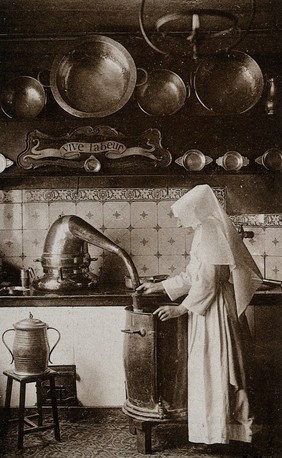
[87, 147]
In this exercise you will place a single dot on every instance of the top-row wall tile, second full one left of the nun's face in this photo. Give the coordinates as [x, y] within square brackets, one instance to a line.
[116, 214]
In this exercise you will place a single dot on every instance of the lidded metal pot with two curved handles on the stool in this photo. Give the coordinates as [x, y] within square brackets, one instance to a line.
[31, 350]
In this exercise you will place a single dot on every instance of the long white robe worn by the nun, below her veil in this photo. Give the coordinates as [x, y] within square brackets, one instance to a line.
[218, 407]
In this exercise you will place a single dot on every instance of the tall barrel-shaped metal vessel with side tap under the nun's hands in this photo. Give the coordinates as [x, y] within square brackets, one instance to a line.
[155, 362]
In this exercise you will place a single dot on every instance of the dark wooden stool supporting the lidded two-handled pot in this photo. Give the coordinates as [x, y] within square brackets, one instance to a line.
[22, 419]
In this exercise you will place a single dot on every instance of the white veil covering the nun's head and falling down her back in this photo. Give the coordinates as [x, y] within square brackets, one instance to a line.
[220, 242]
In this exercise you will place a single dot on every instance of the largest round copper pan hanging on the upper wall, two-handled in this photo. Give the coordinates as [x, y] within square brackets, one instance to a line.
[94, 79]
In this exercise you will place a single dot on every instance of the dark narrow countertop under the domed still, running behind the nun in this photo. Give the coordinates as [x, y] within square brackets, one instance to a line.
[107, 296]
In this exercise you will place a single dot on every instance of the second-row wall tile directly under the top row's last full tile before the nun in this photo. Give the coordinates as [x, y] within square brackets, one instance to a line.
[144, 241]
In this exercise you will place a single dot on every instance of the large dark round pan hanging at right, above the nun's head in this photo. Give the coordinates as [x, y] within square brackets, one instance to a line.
[228, 83]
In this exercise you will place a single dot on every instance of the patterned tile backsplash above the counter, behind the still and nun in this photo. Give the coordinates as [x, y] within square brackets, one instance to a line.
[139, 220]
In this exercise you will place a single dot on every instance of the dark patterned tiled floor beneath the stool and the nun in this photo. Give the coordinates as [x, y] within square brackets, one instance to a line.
[104, 433]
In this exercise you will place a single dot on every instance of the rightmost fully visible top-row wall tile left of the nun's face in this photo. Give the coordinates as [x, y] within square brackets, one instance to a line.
[144, 214]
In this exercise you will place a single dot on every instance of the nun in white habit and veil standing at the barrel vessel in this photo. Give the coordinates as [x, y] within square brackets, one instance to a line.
[217, 287]
